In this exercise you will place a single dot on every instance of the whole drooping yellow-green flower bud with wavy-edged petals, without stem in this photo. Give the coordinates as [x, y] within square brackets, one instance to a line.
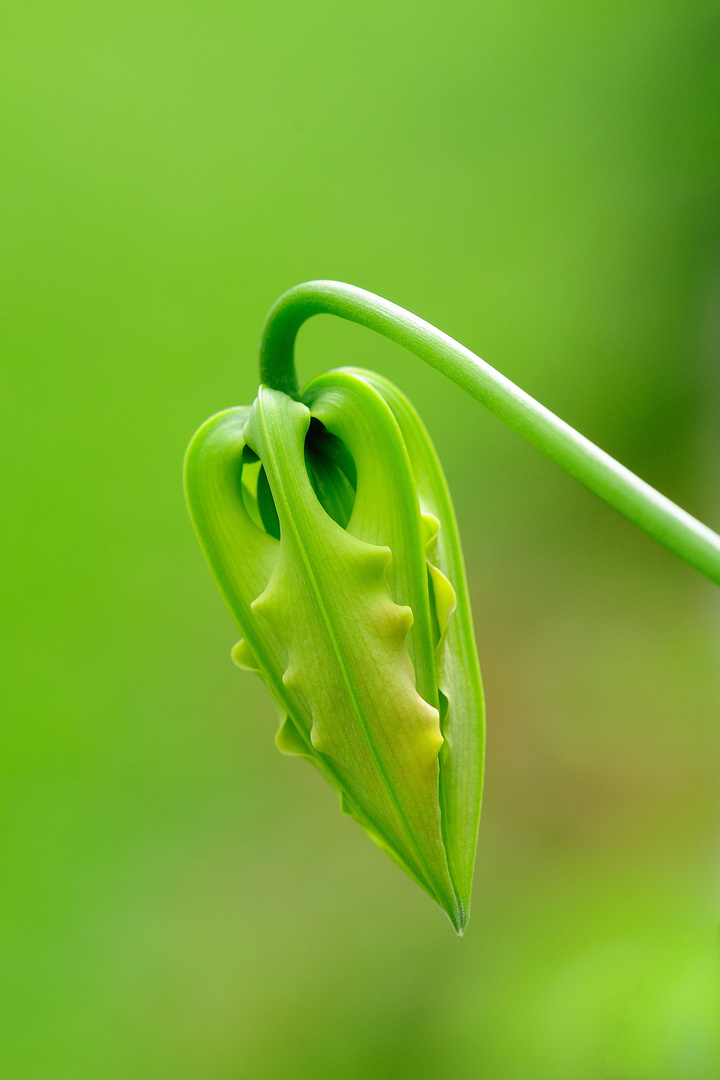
[330, 531]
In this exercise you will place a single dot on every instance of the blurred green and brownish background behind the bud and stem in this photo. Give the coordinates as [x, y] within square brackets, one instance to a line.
[542, 181]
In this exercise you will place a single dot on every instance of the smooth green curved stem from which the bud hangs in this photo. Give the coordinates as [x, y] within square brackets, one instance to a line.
[680, 532]
